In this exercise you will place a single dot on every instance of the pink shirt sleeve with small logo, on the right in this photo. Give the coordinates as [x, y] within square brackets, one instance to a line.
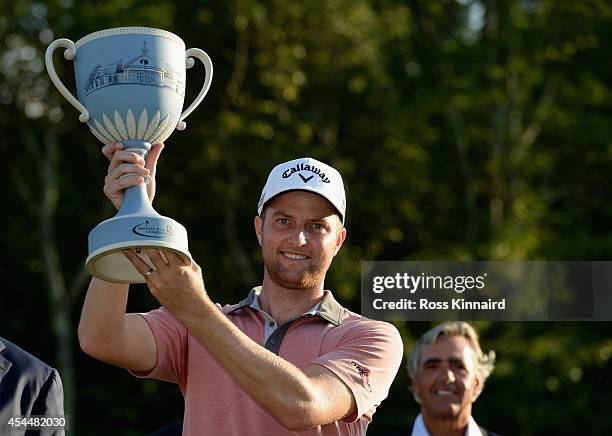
[366, 360]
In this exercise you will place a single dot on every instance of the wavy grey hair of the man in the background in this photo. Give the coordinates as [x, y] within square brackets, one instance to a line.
[485, 363]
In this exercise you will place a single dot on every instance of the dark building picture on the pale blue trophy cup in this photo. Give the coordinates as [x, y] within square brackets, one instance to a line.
[140, 69]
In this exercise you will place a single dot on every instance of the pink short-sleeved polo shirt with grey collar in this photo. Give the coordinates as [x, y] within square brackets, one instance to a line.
[363, 353]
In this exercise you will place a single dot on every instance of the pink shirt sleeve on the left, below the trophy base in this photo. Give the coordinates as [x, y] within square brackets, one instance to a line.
[171, 340]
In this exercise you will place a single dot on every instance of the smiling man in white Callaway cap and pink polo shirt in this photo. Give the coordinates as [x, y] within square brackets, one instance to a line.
[288, 357]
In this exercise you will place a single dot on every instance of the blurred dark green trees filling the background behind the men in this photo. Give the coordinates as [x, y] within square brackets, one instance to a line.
[465, 130]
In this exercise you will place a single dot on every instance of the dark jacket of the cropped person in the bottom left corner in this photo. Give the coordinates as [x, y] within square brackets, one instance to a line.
[27, 387]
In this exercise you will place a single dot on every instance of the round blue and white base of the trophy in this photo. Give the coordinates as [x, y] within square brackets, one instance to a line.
[131, 231]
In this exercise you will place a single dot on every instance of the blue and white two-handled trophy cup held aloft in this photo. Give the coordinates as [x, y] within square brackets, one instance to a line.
[131, 87]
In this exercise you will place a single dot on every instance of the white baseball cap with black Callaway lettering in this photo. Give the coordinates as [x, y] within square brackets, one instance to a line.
[305, 174]
